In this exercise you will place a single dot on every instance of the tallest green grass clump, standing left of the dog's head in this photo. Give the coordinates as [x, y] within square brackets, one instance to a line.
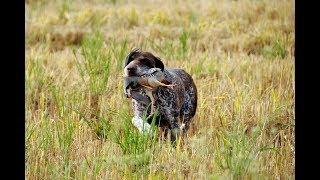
[94, 69]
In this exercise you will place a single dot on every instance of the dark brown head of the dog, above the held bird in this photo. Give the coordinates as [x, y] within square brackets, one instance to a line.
[138, 63]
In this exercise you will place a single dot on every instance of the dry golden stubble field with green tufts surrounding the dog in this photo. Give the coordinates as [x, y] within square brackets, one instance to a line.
[240, 54]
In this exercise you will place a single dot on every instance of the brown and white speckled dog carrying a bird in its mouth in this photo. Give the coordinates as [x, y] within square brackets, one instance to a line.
[175, 97]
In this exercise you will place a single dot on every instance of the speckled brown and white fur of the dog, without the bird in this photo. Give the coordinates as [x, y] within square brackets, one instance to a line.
[176, 105]
